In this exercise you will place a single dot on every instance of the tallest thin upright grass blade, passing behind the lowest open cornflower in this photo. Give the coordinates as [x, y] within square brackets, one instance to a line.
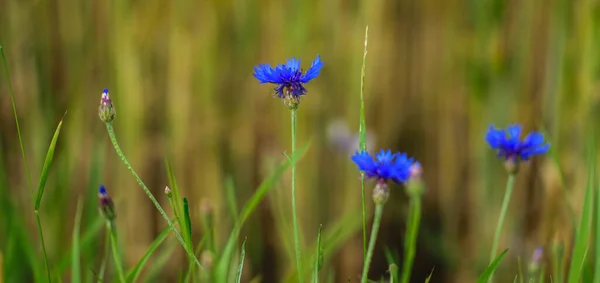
[363, 143]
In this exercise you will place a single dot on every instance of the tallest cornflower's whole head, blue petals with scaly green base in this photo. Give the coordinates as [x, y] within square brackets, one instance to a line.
[288, 78]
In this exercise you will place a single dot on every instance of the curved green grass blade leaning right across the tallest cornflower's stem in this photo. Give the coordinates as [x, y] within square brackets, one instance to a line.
[224, 259]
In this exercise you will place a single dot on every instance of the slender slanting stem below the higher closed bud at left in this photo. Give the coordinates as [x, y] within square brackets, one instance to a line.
[113, 138]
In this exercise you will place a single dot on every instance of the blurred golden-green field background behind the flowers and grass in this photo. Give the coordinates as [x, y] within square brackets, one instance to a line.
[438, 74]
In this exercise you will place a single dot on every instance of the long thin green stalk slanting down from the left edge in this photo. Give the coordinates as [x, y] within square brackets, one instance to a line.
[12, 100]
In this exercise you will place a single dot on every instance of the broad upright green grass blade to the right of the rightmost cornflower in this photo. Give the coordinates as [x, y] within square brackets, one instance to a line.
[585, 225]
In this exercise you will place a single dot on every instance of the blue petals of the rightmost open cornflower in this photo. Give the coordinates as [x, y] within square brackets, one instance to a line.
[509, 145]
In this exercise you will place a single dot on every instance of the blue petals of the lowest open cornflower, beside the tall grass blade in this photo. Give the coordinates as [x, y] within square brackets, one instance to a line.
[396, 167]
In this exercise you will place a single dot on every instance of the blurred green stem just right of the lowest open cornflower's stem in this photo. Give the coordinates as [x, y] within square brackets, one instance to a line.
[410, 240]
